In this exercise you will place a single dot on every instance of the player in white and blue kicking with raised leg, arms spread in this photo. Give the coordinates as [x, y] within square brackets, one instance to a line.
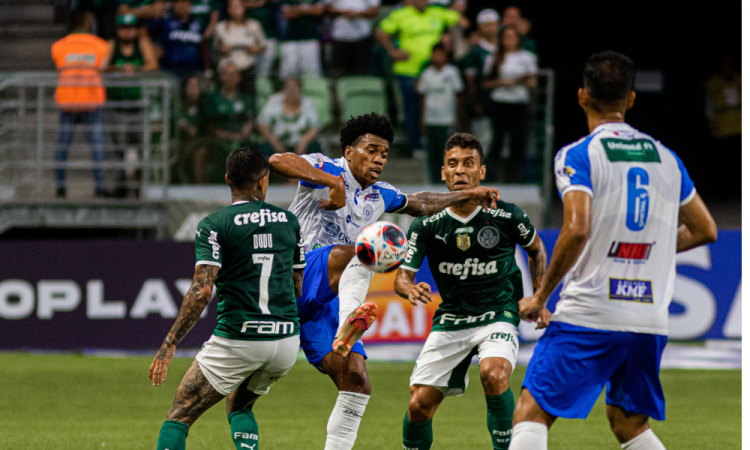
[336, 198]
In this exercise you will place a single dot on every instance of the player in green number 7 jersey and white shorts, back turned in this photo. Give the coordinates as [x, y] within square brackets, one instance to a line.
[252, 251]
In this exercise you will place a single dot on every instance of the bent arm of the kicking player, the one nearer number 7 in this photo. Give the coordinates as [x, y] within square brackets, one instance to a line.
[291, 165]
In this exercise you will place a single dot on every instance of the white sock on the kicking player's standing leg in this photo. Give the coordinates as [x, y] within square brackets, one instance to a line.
[344, 421]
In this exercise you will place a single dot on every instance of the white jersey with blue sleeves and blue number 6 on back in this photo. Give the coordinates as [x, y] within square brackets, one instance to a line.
[624, 278]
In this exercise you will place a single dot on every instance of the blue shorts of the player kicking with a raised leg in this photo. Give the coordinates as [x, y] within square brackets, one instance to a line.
[318, 309]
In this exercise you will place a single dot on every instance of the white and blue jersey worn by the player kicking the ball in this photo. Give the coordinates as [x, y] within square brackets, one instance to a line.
[341, 227]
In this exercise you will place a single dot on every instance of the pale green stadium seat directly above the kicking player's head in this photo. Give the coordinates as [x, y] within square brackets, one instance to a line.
[361, 95]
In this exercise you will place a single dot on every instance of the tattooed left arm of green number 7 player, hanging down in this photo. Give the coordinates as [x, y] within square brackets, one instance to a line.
[193, 305]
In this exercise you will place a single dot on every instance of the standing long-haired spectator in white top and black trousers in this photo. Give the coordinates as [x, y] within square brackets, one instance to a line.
[508, 78]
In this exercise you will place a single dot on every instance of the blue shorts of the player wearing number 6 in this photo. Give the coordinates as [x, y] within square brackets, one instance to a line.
[571, 365]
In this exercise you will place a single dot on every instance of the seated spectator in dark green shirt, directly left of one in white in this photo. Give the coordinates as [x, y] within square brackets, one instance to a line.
[228, 119]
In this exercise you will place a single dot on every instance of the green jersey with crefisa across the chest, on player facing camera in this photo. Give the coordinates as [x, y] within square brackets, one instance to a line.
[473, 262]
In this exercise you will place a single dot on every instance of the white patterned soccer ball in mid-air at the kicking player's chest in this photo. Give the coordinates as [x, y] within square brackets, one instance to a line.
[381, 247]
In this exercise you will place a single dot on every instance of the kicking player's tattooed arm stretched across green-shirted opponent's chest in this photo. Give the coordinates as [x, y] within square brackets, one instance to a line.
[426, 203]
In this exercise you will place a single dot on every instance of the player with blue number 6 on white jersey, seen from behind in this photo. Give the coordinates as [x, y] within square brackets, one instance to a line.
[624, 195]
